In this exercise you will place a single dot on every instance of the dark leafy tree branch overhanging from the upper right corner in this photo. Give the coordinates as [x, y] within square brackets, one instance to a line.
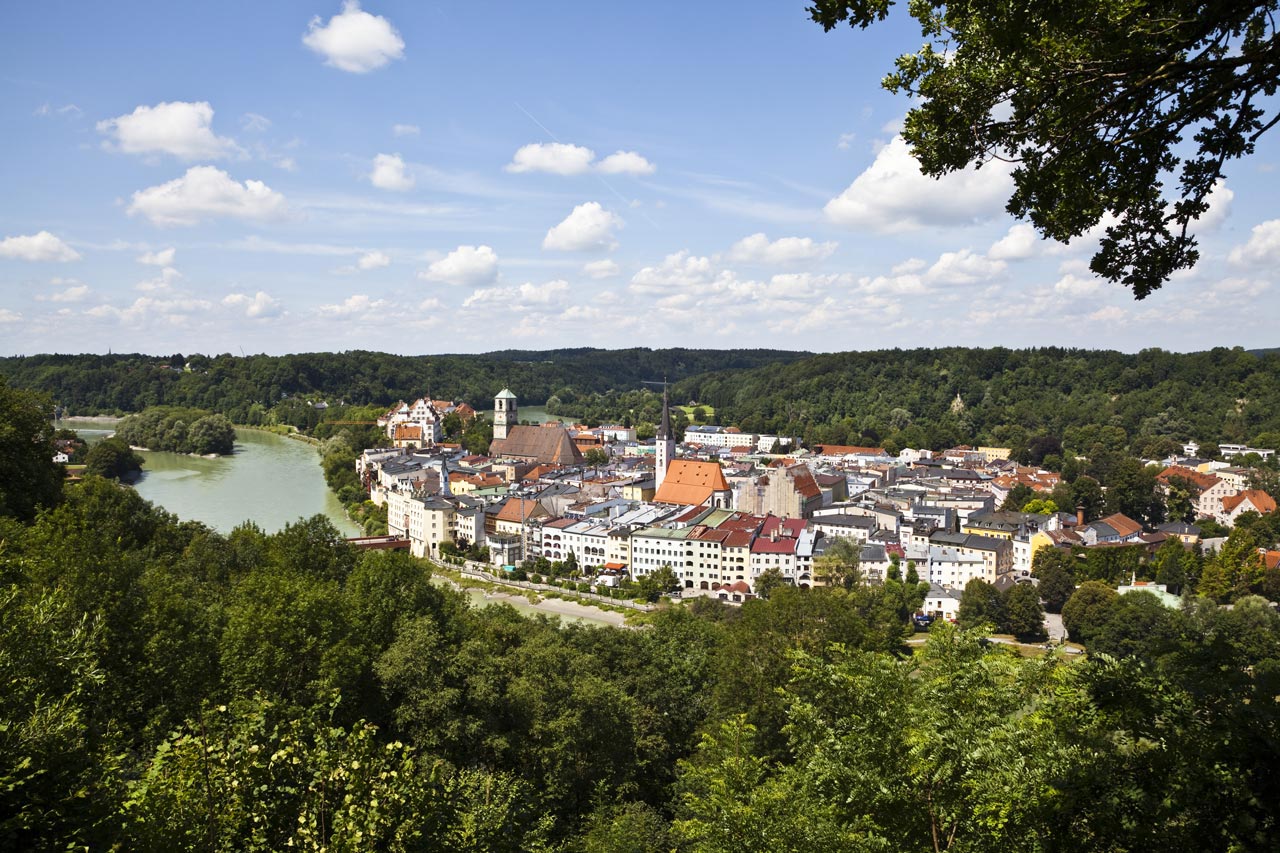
[1096, 102]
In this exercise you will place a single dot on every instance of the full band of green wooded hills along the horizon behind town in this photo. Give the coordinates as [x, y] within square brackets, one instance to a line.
[1031, 400]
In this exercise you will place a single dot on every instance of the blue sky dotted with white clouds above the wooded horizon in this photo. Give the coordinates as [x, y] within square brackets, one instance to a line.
[460, 177]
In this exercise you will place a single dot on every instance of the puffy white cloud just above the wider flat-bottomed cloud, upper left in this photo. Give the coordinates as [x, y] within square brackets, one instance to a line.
[180, 129]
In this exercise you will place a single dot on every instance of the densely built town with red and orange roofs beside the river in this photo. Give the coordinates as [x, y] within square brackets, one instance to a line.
[723, 509]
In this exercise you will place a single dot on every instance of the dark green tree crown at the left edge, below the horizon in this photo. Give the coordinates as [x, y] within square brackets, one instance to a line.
[29, 477]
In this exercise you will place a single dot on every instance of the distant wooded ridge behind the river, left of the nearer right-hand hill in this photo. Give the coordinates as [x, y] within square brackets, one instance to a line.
[231, 385]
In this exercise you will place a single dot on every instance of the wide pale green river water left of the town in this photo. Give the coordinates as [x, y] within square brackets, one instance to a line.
[271, 481]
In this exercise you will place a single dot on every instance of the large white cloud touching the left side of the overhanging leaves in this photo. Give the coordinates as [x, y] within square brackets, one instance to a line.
[893, 195]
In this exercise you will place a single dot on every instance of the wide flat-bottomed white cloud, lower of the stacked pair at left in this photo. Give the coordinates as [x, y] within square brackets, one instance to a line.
[204, 193]
